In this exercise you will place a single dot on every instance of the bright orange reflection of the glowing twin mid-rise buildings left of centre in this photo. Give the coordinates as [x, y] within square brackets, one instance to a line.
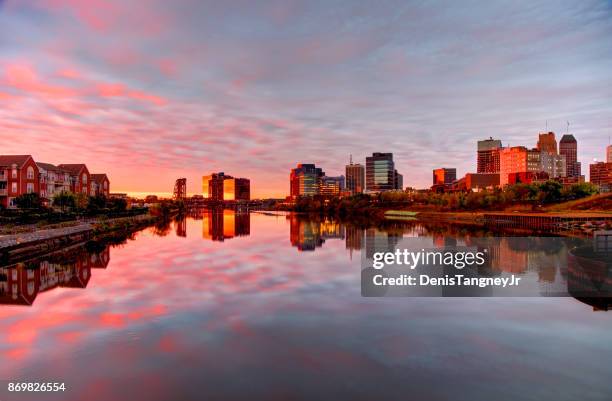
[221, 225]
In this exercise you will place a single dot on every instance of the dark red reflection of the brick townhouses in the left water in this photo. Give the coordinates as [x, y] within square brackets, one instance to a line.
[21, 283]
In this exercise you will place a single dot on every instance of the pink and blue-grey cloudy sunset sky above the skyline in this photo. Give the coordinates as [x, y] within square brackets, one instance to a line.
[152, 90]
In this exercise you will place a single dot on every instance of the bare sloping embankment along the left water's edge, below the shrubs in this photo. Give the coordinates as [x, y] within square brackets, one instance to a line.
[25, 245]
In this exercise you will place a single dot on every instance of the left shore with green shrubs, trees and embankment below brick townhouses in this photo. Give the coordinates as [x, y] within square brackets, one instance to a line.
[34, 229]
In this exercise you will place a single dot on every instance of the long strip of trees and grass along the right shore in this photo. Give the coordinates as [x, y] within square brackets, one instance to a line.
[549, 199]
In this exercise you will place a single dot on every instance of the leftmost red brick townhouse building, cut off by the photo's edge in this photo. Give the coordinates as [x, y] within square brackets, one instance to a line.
[18, 175]
